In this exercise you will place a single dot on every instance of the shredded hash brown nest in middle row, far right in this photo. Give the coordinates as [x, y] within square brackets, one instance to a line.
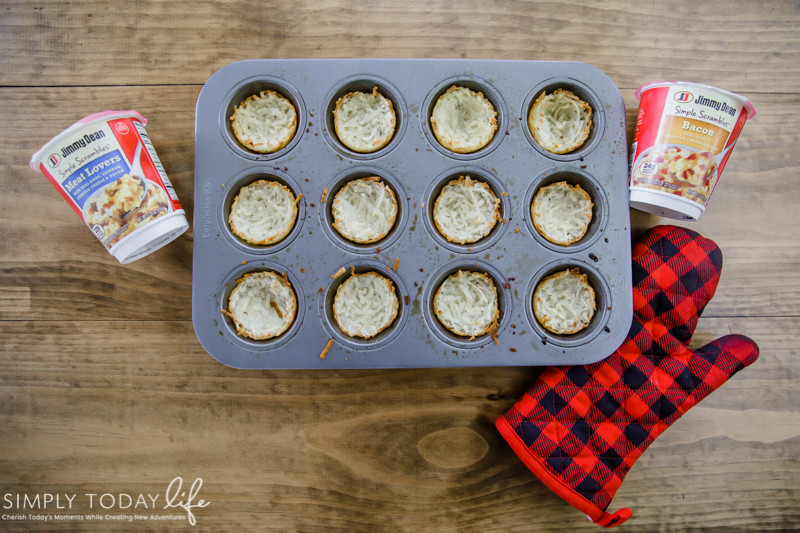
[561, 213]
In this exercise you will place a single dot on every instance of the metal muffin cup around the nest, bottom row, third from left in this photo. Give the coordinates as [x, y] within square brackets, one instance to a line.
[504, 302]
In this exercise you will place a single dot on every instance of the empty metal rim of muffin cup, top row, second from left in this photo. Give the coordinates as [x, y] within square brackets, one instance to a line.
[365, 84]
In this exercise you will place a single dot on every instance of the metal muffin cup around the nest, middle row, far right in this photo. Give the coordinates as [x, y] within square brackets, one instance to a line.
[572, 176]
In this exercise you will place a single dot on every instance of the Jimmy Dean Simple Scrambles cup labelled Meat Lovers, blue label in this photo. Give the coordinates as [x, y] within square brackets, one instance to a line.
[106, 168]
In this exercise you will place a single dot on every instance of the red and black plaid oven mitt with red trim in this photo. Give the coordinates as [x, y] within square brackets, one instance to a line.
[581, 428]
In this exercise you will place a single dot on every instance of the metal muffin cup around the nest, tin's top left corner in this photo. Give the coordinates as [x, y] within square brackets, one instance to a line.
[247, 88]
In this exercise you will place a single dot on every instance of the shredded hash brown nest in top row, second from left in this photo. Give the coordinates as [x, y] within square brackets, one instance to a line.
[364, 122]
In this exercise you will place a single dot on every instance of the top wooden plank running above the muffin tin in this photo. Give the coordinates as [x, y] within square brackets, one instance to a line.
[739, 46]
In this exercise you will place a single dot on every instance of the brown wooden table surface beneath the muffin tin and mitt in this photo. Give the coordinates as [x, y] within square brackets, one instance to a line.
[104, 387]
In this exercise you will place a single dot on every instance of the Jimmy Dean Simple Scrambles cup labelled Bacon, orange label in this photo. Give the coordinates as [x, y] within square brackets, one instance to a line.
[685, 133]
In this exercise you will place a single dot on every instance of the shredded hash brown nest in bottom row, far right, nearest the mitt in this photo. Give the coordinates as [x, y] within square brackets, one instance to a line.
[564, 303]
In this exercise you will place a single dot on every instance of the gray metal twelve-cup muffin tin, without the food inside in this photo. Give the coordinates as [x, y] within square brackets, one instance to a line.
[416, 166]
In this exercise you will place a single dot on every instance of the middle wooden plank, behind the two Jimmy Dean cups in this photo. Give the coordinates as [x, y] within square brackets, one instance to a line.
[72, 277]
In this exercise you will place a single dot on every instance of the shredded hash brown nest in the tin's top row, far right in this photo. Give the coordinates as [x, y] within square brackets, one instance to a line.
[560, 122]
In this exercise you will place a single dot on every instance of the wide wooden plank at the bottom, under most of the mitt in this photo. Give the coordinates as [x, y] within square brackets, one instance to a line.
[408, 450]
